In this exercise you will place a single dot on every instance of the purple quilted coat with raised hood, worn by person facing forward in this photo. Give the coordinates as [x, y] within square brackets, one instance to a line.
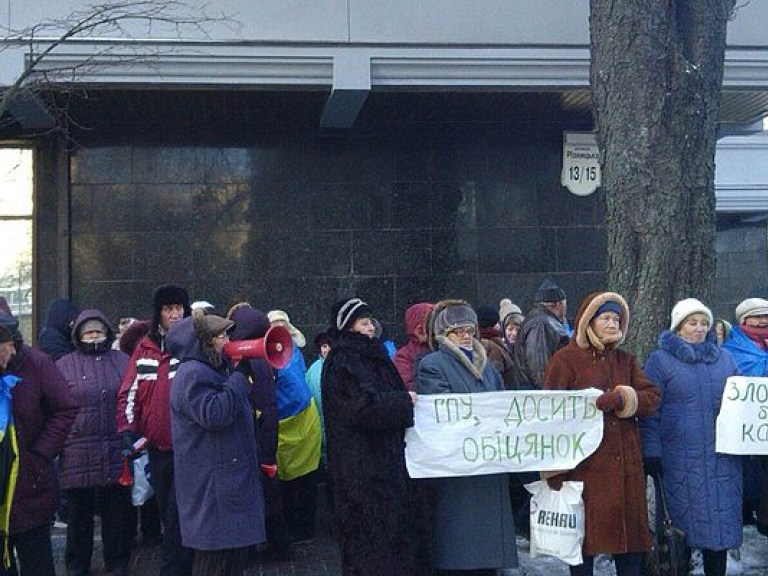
[91, 455]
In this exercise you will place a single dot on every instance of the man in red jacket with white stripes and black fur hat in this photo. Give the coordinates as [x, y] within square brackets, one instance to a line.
[144, 409]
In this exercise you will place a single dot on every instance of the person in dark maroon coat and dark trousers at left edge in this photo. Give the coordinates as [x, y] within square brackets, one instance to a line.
[43, 412]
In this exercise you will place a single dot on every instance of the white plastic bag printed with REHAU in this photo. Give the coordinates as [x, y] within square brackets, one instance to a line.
[557, 521]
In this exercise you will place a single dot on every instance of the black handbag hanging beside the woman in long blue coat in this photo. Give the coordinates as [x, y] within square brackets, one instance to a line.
[669, 555]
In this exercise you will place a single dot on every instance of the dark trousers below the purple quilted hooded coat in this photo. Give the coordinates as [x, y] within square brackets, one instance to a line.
[113, 504]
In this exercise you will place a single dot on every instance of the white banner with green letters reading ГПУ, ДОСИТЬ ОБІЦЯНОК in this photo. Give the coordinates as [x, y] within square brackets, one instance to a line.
[496, 432]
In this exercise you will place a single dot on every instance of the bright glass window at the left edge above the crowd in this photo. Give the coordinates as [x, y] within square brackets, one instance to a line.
[16, 204]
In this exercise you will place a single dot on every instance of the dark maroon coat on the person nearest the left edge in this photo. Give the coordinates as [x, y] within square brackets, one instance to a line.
[43, 411]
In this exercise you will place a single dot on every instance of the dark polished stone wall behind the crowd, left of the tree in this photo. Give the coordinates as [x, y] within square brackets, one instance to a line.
[286, 217]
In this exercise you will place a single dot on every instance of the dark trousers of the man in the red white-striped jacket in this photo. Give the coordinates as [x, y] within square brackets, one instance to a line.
[177, 560]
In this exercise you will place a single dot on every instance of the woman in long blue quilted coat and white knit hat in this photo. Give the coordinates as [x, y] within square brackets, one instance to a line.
[703, 488]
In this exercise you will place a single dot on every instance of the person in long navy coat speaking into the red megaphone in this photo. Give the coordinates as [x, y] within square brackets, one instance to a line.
[218, 489]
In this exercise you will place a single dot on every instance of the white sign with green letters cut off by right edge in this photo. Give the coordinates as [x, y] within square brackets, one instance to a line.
[742, 425]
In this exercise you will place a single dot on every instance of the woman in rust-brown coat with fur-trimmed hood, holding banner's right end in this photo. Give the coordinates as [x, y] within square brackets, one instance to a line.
[614, 481]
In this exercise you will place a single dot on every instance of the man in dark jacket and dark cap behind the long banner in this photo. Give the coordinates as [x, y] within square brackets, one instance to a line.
[541, 334]
